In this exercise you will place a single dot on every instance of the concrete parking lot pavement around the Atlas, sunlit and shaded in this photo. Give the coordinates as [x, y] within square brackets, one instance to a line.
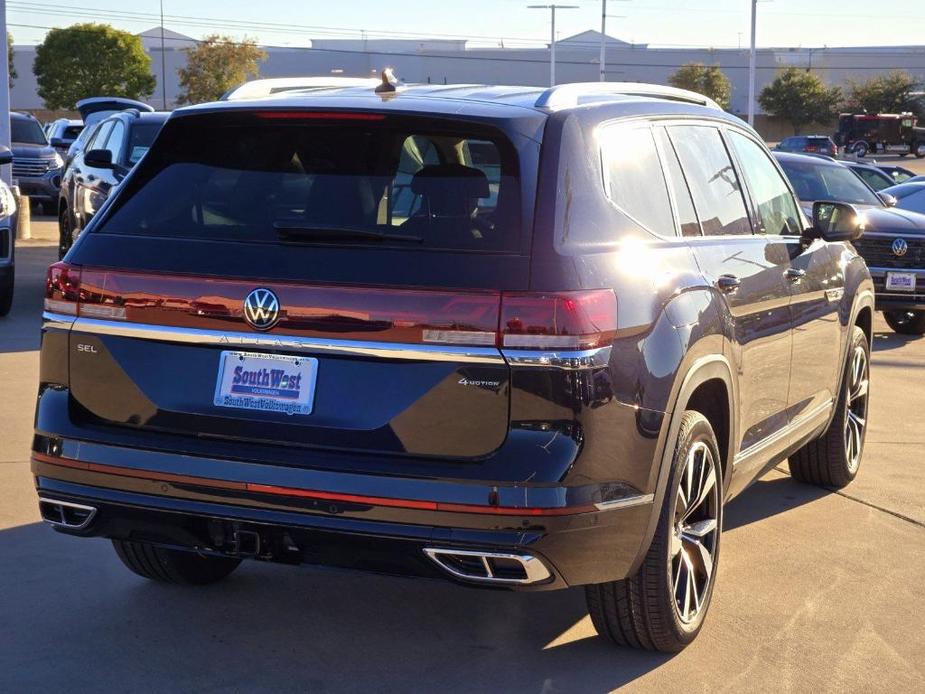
[816, 591]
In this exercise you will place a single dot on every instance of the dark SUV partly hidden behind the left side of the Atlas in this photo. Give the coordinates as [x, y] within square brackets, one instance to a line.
[113, 147]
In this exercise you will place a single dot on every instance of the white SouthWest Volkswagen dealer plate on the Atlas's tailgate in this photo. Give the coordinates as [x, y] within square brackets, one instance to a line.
[266, 382]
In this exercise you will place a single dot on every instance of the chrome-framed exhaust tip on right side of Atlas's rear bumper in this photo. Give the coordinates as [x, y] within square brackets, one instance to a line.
[498, 568]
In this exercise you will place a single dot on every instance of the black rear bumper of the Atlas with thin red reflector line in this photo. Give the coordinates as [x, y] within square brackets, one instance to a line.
[345, 520]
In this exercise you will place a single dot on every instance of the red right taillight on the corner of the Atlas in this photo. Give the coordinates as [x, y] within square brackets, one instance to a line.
[558, 321]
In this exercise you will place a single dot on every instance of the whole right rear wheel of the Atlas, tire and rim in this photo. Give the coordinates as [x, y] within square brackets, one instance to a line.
[645, 610]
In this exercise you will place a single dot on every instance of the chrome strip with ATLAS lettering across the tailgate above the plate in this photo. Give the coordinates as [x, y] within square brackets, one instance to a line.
[311, 345]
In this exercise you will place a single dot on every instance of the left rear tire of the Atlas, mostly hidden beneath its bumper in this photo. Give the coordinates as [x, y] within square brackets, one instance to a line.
[173, 565]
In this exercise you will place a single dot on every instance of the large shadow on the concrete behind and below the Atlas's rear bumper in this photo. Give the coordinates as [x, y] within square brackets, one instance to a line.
[73, 617]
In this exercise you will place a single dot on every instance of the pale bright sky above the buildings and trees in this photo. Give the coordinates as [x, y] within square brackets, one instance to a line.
[716, 23]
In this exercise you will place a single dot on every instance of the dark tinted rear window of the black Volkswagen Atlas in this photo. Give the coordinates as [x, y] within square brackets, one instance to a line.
[290, 180]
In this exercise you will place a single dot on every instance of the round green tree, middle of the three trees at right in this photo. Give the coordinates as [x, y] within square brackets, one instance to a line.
[800, 97]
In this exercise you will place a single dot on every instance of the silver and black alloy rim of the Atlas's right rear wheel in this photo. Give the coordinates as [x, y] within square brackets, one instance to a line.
[695, 532]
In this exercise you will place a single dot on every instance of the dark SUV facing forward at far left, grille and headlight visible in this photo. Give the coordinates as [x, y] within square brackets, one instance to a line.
[36, 165]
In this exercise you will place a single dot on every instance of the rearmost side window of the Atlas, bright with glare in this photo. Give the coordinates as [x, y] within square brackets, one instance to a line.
[633, 176]
